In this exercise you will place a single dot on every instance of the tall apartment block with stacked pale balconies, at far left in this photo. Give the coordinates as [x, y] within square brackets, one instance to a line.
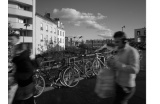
[21, 16]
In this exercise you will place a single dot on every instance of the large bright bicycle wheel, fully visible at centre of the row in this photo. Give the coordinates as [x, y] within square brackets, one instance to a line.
[71, 77]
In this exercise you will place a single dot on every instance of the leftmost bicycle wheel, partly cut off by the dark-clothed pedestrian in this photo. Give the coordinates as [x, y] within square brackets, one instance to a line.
[39, 85]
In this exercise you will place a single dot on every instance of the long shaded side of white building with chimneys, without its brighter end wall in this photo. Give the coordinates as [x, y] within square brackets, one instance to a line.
[46, 33]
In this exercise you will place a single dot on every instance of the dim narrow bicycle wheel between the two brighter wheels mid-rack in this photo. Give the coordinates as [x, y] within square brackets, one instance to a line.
[88, 69]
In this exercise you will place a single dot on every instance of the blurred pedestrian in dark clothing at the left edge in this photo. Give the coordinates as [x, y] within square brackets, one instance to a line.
[23, 71]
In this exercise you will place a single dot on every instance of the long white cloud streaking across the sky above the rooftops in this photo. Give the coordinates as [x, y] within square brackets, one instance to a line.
[78, 18]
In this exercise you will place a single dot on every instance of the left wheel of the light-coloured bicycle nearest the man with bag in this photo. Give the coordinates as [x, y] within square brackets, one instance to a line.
[96, 67]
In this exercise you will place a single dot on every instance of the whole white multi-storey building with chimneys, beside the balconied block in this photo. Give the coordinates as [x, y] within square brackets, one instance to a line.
[49, 33]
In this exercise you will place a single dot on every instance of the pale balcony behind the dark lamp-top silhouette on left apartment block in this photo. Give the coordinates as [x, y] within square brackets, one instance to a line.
[20, 25]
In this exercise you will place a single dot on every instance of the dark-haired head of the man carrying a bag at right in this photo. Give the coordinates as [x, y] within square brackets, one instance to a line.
[120, 39]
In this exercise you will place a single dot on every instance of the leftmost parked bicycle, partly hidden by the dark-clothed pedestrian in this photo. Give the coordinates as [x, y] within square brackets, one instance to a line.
[44, 75]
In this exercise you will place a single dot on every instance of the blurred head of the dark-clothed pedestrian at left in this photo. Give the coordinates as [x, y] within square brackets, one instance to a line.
[14, 38]
